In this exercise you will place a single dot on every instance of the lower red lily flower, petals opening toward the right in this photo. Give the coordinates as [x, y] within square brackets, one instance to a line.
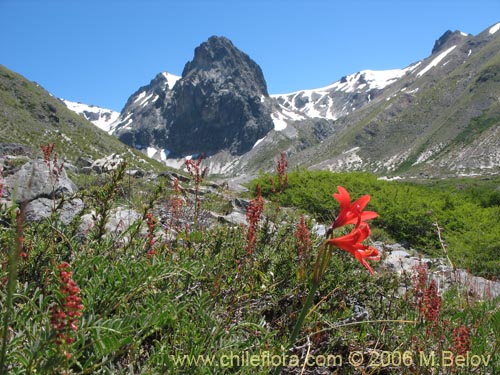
[353, 243]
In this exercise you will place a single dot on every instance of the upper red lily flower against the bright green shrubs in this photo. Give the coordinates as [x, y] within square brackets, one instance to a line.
[351, 213]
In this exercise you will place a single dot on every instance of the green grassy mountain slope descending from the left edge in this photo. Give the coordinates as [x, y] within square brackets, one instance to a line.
[31, 116]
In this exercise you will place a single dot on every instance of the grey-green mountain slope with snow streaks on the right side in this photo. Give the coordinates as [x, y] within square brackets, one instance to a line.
[441, 117]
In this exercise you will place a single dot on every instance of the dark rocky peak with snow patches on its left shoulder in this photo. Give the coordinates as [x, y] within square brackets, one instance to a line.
[220, 104]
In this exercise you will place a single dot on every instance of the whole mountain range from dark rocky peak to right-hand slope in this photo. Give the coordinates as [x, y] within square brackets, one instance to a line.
[436, 116]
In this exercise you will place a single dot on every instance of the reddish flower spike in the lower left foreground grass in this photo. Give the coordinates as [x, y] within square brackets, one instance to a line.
[66, 315]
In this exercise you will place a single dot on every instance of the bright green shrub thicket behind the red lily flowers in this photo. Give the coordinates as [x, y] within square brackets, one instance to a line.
[466, 209]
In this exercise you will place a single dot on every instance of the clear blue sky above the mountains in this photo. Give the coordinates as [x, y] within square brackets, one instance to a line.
[101, 51]
